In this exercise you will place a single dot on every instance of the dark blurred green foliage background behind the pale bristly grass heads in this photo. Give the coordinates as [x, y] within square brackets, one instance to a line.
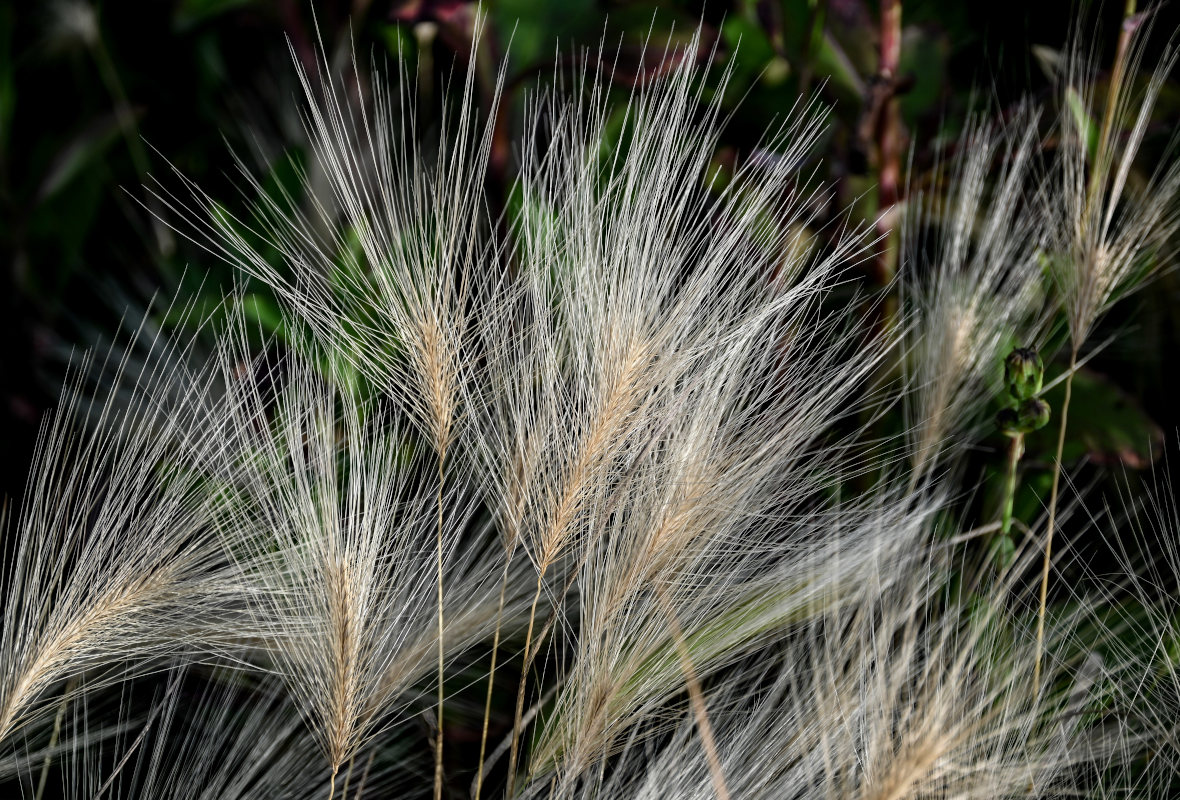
[97, 100]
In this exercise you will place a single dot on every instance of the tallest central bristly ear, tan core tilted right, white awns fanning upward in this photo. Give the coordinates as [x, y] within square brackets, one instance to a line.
[628, 278]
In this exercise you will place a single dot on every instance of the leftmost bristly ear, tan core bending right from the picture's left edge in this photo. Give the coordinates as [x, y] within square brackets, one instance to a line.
[113, 548]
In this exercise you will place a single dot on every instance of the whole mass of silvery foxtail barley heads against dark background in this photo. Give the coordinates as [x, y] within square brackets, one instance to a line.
[624, 491]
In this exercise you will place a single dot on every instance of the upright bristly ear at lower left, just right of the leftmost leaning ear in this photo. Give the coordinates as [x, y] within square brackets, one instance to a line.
[330, 512]
